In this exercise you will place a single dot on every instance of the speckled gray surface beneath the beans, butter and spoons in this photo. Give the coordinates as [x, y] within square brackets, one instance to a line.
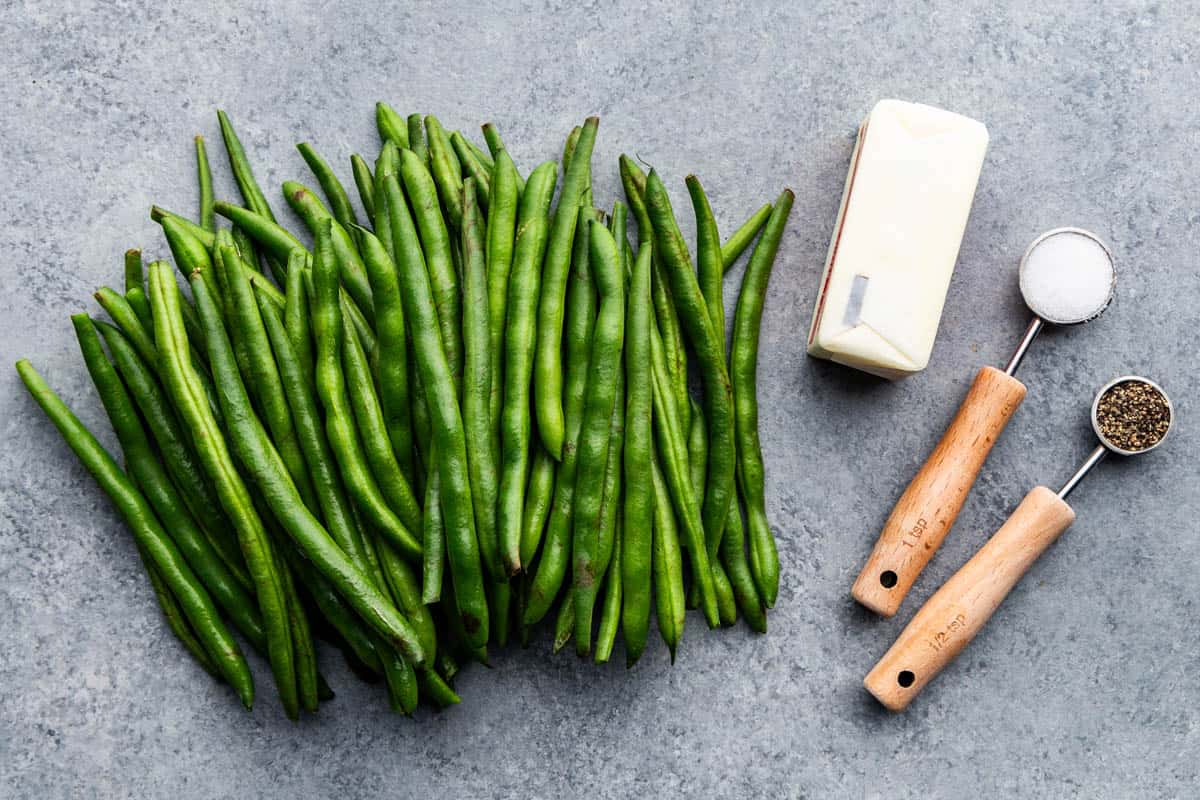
[1084, 685]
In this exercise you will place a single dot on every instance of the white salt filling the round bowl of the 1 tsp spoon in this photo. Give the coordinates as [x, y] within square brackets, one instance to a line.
[1067, 278]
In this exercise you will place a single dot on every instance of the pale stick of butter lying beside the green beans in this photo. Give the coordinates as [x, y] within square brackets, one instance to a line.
[911, 183]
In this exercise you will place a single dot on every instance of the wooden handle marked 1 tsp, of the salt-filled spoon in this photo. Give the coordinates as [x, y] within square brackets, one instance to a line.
[928, 508]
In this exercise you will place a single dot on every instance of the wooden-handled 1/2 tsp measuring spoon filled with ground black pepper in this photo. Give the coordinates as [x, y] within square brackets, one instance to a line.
[1131, 416]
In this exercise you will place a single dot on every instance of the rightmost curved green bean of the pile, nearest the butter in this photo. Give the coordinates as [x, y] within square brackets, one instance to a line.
[745, 366]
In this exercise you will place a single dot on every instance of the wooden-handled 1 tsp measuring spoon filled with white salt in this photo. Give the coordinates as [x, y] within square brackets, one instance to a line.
[1067, 278]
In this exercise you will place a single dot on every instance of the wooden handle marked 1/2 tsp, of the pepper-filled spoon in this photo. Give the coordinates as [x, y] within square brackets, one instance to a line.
[956, 613]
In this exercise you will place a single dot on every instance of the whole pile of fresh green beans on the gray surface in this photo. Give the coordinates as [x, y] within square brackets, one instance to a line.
[449, 419]
